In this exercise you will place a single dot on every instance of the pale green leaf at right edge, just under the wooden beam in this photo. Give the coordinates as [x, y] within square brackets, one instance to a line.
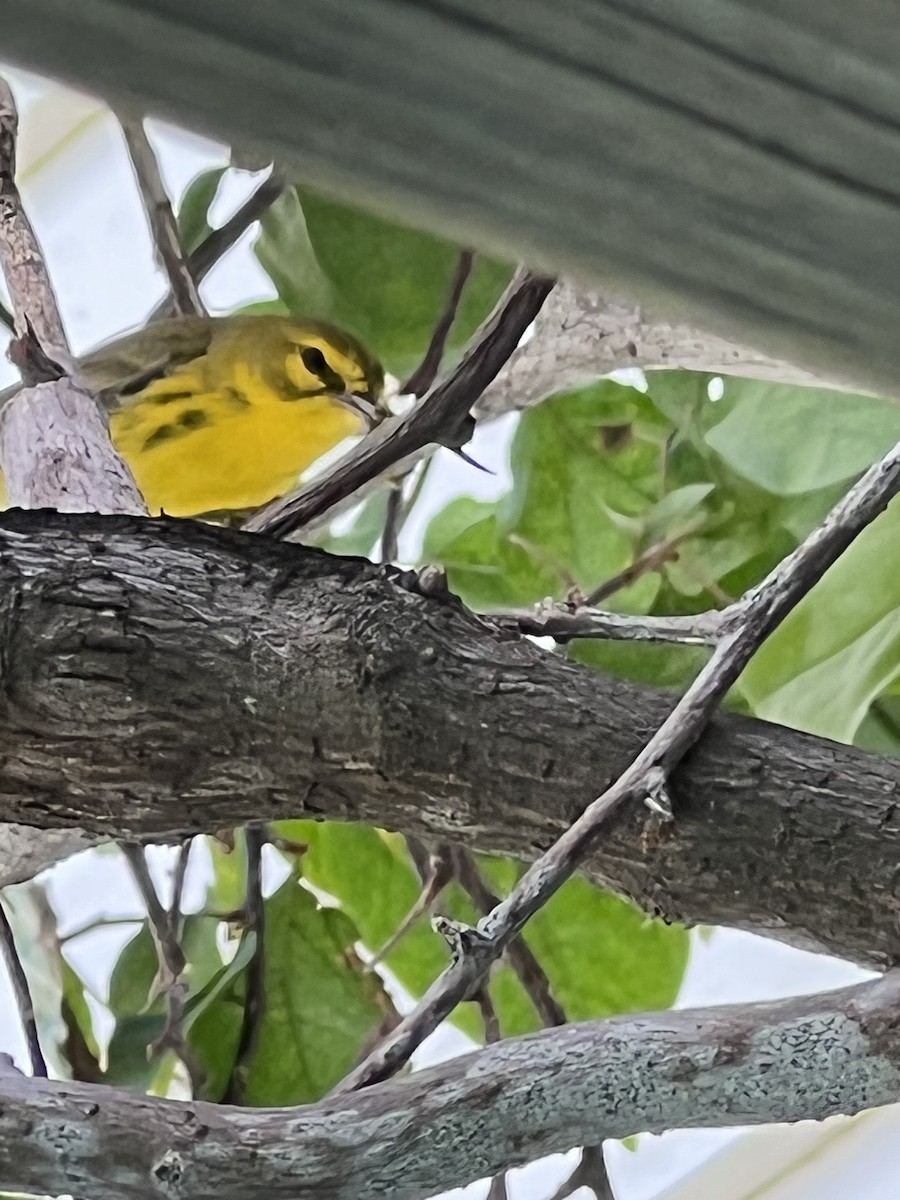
[791, 441]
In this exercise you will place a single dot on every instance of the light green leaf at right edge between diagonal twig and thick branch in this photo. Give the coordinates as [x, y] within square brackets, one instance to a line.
[841, 647]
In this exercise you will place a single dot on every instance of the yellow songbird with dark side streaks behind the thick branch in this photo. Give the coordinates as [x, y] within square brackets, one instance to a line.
[218, 416]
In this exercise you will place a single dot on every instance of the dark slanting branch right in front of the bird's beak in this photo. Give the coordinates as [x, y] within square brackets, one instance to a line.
[443, 418]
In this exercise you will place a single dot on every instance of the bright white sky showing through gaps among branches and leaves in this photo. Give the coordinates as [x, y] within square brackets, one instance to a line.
[82, 201]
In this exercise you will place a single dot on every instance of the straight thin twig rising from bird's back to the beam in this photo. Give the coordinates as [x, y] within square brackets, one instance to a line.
[161, 219]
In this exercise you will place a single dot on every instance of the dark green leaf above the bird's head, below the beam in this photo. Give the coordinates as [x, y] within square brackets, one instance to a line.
[383, 283]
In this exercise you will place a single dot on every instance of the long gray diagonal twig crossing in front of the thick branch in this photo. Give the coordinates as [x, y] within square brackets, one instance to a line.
[647, 778]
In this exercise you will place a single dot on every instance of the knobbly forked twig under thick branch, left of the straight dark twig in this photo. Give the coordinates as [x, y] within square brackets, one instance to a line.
[165, 929]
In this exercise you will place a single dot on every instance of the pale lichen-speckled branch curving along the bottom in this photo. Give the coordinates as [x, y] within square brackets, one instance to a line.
[513, 1102]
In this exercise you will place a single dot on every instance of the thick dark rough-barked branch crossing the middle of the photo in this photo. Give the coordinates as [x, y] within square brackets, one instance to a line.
[164, 676]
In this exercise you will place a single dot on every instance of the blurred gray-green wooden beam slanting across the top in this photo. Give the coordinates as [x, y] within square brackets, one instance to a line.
[736, 163]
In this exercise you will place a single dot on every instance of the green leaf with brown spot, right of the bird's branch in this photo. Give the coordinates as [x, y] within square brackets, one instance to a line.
[586, 476]
